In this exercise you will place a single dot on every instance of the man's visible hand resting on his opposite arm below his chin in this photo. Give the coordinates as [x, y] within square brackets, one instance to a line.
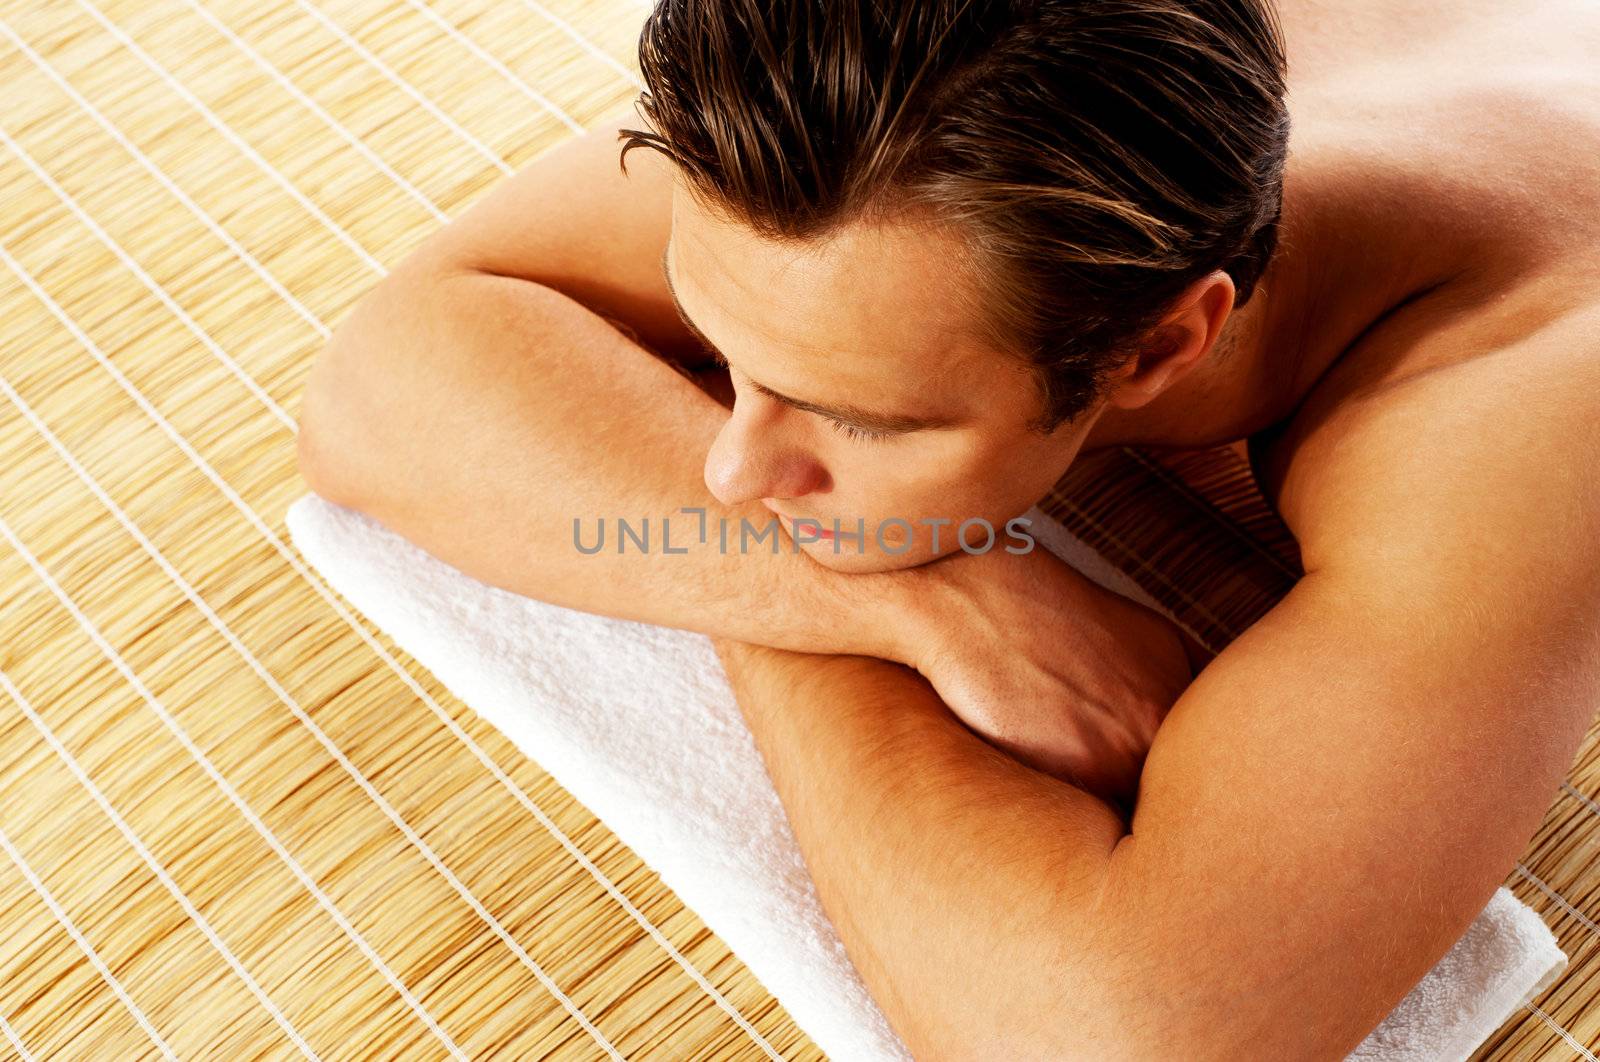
[1049, 666]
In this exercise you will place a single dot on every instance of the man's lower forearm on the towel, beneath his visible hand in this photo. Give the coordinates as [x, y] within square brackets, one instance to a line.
[964, 885]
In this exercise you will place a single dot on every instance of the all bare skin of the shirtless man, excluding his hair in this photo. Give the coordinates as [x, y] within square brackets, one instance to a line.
[1334, 799]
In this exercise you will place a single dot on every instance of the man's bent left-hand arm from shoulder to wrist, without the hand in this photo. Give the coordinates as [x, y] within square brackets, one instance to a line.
[479, 410]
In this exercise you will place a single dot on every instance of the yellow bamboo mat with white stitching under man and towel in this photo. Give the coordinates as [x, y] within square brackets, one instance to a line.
[236, 820]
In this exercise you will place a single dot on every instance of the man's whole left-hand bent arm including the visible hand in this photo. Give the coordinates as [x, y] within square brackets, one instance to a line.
[479, 402]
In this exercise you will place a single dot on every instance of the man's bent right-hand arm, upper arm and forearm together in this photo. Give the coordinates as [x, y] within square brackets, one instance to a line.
[1322, 815]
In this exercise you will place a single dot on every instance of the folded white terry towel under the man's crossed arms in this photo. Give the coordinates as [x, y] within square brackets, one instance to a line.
[639, 724]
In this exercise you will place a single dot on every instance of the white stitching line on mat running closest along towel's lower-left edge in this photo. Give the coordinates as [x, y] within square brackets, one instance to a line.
[406, 677]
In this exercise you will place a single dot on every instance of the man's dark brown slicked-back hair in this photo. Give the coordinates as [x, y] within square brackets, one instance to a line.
[1095, 156]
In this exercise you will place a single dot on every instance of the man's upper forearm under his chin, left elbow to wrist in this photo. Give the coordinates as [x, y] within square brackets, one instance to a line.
[481, 417]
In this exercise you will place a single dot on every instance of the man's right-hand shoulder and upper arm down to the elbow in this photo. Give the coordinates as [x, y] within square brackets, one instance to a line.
[1340, 793]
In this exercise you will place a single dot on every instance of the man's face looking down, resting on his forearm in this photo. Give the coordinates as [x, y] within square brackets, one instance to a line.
[863, 393]
